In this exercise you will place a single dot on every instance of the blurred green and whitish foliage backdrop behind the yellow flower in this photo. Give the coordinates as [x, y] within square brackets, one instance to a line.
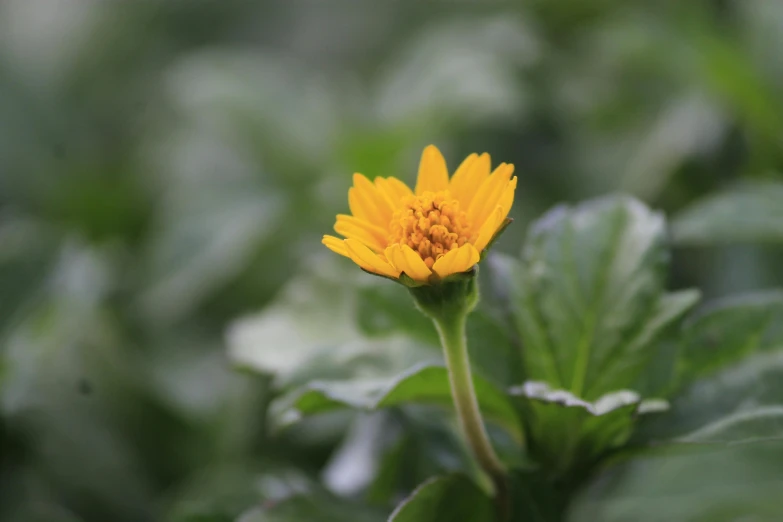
[167, 170]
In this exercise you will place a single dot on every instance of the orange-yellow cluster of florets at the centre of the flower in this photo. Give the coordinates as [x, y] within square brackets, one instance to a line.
[431, 224]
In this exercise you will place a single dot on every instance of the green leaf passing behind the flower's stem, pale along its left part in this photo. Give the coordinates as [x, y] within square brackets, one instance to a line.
[425, 384]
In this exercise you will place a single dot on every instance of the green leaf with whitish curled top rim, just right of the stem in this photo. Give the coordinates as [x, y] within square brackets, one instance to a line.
[566, 430]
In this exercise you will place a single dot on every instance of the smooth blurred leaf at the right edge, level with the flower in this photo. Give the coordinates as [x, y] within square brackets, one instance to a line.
[749, 212]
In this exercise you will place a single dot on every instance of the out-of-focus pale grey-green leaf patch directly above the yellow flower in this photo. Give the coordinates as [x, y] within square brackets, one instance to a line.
[423, 79]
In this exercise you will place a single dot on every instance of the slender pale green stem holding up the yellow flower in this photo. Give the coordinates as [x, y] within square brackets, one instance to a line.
[452, 335]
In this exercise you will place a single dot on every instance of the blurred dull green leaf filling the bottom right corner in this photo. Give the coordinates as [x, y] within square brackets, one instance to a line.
[694, 484]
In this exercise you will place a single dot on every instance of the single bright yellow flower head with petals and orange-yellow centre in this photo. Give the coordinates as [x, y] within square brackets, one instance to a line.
[437, 230]
